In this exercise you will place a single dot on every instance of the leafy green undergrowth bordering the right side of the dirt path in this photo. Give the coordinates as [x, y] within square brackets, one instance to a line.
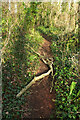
[66, 67]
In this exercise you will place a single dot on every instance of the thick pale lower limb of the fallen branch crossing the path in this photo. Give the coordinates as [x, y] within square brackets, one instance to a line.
[32, 82]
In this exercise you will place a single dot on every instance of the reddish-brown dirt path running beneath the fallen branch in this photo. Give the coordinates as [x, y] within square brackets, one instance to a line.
[39, 103]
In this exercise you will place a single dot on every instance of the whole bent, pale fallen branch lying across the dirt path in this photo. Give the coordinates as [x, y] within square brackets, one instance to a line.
[49, 62]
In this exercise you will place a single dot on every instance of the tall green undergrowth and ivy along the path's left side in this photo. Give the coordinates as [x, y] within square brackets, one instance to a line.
[19, 62]
